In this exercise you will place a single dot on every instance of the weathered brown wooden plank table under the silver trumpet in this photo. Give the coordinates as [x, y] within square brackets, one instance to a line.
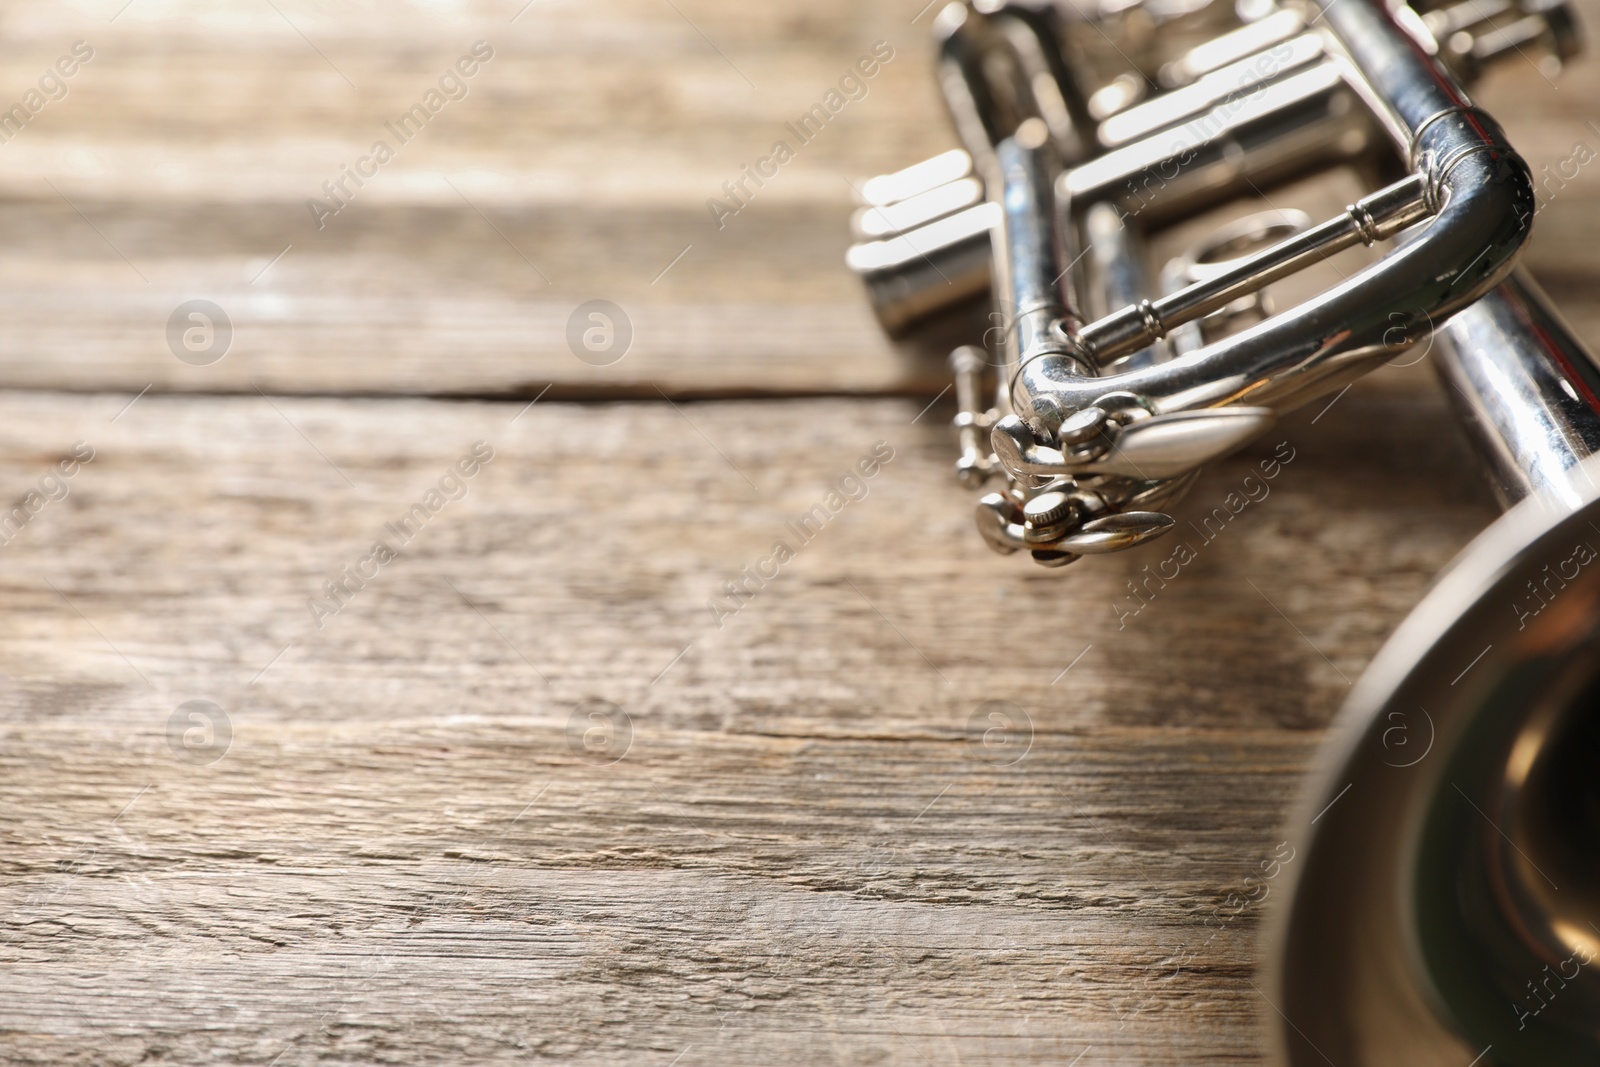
[396, 829]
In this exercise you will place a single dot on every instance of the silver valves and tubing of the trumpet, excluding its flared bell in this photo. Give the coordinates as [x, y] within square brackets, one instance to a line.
[1071, 196]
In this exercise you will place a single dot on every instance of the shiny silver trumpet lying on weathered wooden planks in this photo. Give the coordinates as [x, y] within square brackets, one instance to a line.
[1447, 903]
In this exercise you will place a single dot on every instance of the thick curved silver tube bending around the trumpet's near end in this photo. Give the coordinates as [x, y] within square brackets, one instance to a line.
[1481, 198]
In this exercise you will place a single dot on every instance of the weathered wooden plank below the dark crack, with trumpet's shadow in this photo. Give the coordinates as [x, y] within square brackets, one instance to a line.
[807, 853]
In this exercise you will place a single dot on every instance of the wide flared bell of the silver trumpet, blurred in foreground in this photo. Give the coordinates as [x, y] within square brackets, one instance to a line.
[1447, 908]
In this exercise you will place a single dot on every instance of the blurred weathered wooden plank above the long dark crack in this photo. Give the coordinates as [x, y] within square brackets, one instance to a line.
[577, 169]
